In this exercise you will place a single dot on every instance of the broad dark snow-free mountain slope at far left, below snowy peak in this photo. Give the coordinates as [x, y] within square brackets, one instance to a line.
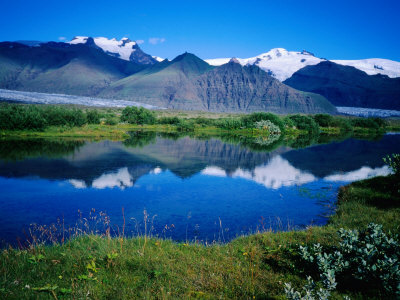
[60, 68]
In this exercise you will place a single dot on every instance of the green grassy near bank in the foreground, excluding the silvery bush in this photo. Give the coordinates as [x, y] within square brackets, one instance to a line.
[252, 267]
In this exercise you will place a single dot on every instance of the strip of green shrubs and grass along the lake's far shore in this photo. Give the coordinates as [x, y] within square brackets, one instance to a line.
[27, 119]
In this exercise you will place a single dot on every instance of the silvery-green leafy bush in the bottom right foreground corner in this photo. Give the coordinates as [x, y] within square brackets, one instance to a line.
[368, 256]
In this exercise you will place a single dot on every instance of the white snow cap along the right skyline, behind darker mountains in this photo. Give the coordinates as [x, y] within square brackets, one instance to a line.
[282, 63]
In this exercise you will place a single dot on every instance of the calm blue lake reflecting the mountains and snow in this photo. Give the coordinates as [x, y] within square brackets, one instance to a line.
[203, 189]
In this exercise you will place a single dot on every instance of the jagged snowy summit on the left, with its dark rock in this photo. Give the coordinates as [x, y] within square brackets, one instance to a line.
[124, 49]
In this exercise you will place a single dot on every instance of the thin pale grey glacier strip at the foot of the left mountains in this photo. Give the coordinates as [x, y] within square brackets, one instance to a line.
[43, 98]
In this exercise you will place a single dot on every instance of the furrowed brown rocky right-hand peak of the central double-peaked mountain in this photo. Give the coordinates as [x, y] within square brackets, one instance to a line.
[232, 87]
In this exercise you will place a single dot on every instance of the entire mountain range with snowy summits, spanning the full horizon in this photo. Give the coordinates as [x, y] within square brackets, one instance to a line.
[119, 69]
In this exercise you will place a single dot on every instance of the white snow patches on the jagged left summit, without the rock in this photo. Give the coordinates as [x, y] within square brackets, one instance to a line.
[122, 48]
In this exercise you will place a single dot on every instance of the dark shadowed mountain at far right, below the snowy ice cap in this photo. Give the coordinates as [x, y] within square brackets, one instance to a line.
[348, 86]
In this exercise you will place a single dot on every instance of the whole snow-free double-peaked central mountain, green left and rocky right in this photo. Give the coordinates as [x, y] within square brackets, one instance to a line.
[189, 83]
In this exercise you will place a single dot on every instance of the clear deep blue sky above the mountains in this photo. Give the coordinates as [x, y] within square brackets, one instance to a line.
[210, 29]
